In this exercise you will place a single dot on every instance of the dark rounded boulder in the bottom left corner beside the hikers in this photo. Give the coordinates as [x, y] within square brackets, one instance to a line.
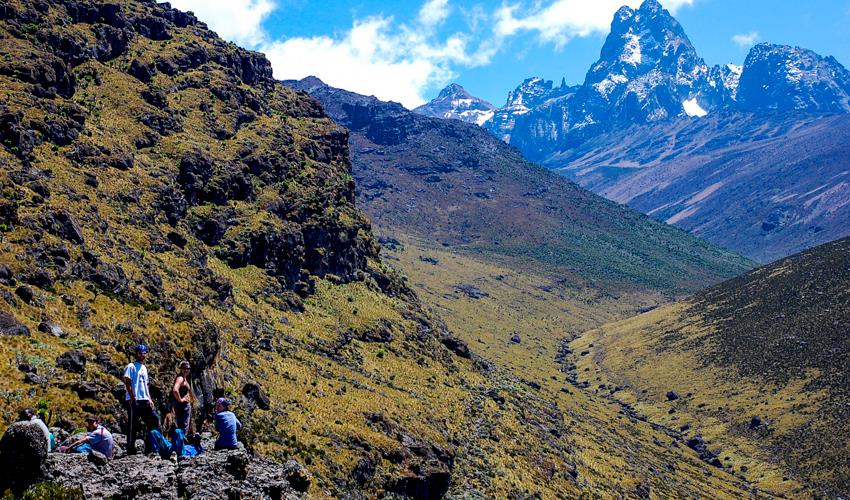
[23, 450]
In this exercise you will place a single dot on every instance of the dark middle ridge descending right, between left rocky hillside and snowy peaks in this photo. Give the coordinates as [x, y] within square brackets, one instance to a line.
[455, 184]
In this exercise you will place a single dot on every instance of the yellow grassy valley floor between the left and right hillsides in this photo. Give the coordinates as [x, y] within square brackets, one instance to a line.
[520, 318]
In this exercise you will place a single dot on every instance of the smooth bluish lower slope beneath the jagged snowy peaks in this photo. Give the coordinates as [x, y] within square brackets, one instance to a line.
[765, 188]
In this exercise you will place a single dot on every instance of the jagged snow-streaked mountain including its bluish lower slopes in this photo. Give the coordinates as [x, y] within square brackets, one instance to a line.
[657, 128]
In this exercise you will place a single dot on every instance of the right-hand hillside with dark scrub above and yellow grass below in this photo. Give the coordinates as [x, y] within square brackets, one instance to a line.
[759, 364]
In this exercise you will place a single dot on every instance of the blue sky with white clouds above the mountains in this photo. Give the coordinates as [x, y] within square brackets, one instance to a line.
[408, 50]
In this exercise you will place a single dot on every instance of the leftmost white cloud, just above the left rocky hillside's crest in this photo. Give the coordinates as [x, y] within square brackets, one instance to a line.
[239, 21]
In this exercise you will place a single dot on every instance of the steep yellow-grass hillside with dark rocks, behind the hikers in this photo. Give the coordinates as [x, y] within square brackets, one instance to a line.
[322, 382]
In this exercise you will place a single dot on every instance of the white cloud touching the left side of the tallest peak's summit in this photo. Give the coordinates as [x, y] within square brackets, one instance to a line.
[562, 20]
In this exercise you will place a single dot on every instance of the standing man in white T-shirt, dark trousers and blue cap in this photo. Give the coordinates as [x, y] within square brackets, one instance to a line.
[138, 403]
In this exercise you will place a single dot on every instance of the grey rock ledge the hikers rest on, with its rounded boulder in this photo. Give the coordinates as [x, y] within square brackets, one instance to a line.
[215, 474]
